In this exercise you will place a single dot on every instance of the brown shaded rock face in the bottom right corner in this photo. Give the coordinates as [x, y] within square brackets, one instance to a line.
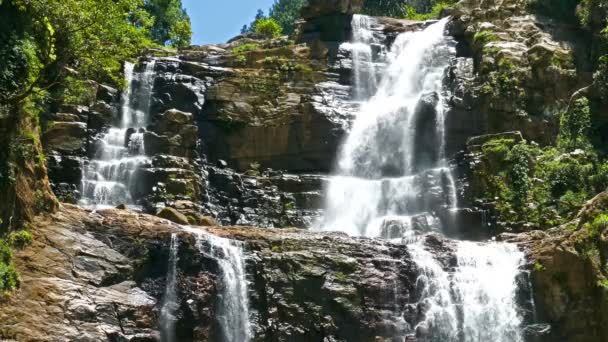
[568, 266]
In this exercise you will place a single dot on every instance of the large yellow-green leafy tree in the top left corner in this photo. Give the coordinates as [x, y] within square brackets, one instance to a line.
[86, 39]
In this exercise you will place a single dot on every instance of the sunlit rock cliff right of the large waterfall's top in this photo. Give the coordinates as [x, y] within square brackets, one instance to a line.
[516, 55]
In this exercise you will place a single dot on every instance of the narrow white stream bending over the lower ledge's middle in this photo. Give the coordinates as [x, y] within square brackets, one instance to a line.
[233, 308]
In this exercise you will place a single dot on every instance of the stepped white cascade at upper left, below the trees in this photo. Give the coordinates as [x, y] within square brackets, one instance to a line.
[108, 178]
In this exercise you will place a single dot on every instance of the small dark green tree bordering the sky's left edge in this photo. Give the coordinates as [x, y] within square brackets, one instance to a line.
[171, 22]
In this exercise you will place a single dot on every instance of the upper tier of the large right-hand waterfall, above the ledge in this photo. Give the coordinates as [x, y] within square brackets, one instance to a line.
[382, 164]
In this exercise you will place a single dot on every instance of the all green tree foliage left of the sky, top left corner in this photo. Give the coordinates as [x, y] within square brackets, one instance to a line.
[50, 48]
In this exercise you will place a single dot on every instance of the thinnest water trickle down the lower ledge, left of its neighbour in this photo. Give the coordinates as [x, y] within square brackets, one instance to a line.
[169, 306]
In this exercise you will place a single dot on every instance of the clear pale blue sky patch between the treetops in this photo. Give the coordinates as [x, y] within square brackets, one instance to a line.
[216, 21]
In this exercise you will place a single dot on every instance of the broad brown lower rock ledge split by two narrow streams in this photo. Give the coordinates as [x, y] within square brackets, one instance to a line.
[103, 276]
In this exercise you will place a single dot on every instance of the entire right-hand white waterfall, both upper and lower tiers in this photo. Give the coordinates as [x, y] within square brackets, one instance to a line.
[392, 168]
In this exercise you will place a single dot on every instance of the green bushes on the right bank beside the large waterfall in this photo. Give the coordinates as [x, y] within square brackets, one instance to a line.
[543, 186]
